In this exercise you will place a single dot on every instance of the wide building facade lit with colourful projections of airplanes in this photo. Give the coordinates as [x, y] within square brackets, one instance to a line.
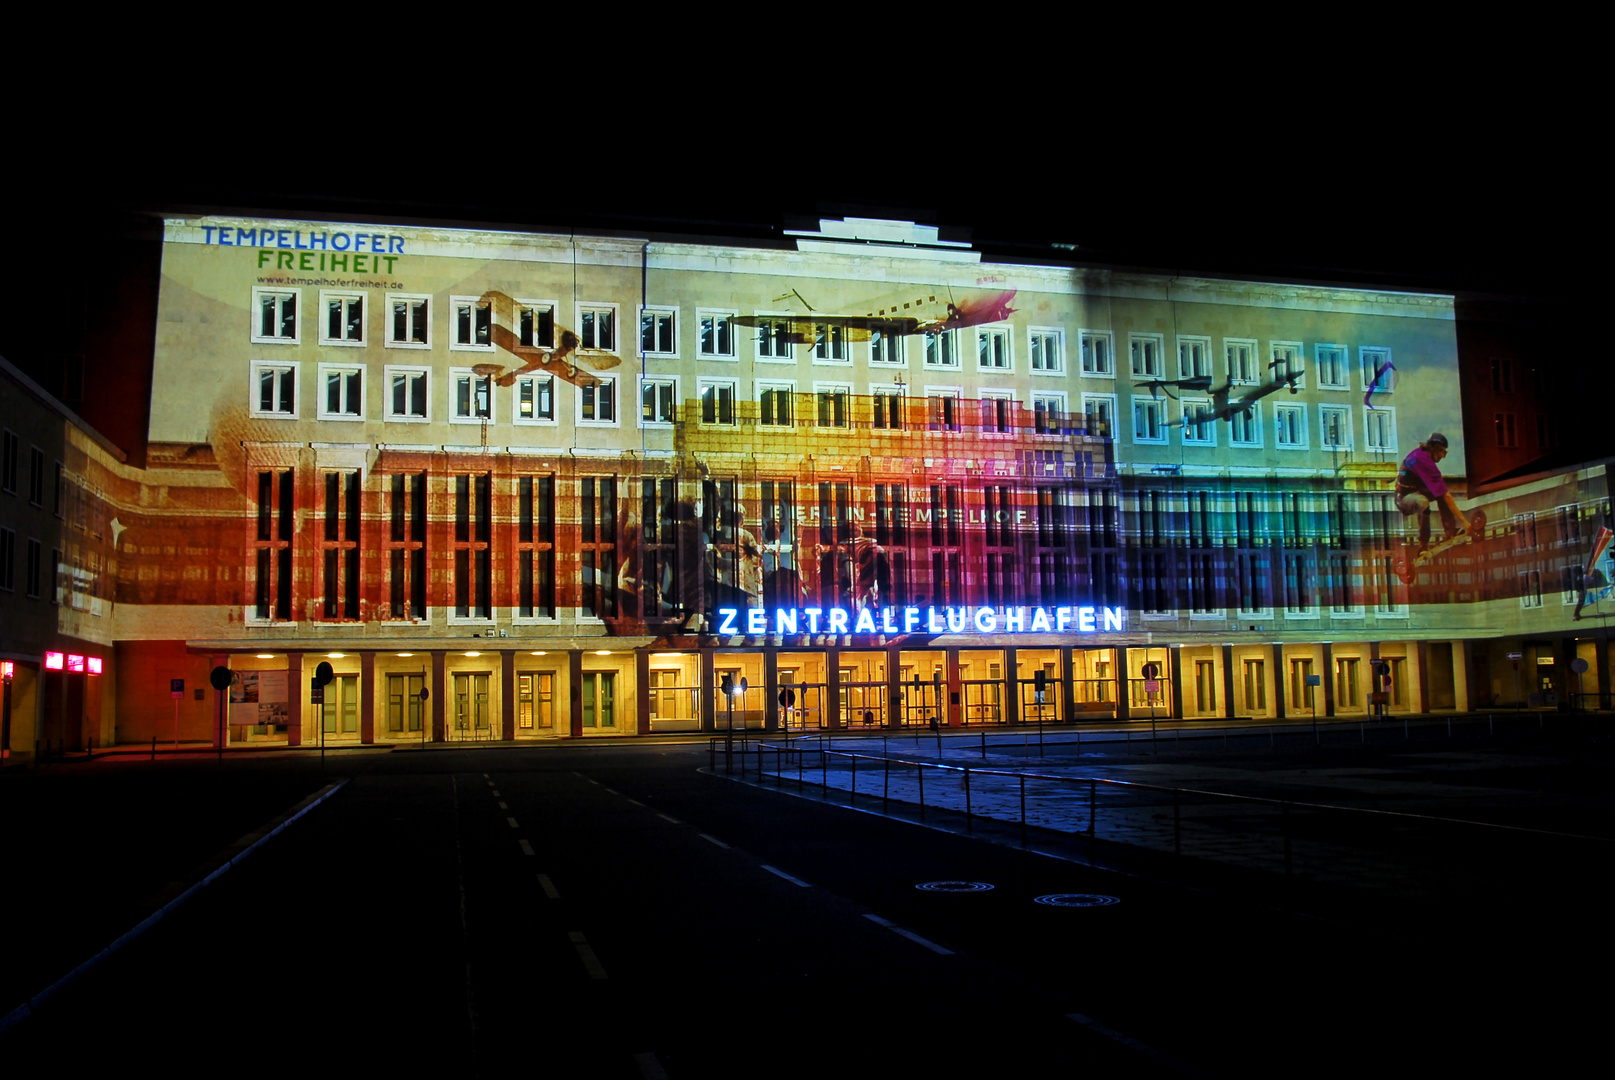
[573, 487]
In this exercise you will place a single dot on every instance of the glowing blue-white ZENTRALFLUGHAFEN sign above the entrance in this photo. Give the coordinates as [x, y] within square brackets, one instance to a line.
[908, 621]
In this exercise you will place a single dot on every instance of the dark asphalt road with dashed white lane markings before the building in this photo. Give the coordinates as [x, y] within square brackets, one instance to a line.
[613, 911]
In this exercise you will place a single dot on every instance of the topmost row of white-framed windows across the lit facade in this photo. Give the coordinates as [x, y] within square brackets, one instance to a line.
[476, 327]
